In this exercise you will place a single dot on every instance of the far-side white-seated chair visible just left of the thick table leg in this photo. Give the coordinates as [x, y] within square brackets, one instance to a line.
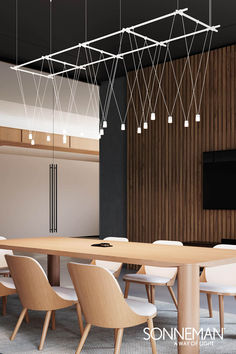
[154, 276]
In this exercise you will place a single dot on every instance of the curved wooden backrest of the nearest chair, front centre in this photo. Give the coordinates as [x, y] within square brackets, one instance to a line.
[101, 298]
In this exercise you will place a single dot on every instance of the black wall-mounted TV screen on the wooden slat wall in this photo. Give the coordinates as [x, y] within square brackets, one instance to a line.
[219, 179]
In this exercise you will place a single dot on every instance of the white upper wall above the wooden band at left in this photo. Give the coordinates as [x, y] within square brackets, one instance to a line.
[79, 117]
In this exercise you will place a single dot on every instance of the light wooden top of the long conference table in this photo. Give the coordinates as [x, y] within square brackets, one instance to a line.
[126, 252]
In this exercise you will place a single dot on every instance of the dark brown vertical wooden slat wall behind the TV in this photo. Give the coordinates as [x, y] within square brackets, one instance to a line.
[164, 190]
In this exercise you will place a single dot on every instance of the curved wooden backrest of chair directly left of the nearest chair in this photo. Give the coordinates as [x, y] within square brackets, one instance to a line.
[32, 285]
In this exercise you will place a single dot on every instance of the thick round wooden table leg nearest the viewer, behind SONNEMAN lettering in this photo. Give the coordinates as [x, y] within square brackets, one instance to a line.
[188, 309]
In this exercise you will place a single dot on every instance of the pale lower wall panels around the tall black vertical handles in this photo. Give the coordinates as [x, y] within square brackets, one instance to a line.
[24, 206]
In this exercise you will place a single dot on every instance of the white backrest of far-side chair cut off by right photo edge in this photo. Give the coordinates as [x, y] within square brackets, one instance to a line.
[224, 274]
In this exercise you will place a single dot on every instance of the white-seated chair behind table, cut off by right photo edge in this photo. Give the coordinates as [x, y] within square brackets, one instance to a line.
[221, 281]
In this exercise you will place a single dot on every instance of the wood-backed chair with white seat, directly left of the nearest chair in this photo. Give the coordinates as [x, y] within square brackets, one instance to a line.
[36, 293]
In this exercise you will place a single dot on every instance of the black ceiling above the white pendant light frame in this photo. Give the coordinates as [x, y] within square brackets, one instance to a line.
[68, 25]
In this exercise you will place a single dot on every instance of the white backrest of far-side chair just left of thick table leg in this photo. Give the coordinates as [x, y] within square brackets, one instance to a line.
[162, 271]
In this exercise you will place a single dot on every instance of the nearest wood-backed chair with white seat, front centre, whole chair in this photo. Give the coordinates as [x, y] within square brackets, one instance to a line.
[103, 303]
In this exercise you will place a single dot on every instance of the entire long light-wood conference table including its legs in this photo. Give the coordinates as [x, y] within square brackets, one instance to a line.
[187, 259]
